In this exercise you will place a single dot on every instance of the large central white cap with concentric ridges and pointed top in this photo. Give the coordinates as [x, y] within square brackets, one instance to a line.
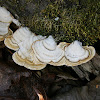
[47, 51]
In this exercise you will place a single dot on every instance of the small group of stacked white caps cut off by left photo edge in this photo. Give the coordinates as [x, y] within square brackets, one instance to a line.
[5, 20]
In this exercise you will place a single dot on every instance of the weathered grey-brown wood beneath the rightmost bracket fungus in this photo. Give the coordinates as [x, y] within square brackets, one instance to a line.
[85, 70]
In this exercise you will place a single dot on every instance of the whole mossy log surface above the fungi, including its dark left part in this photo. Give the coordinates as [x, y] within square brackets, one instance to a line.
[78, 19]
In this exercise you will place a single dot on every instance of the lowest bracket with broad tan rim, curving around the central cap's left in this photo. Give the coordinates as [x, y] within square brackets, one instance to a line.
[23, 56]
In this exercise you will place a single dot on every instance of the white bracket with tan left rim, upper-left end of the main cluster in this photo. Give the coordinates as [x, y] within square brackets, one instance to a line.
[19, 36]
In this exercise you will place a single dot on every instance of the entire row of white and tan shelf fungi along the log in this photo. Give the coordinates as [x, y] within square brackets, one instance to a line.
[35, 51]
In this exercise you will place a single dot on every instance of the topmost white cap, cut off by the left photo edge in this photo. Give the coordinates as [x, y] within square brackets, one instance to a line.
[5, 15]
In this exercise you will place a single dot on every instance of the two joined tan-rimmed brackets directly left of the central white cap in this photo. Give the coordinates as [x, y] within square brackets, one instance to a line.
[21, 41]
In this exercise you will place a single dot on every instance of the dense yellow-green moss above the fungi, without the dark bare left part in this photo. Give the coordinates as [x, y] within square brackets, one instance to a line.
[76, 21]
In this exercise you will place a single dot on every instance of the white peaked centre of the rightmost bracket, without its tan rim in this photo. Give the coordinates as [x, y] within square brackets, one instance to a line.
[75, 52]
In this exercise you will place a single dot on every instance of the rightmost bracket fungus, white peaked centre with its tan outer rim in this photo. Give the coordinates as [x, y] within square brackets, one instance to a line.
[77, 54]
